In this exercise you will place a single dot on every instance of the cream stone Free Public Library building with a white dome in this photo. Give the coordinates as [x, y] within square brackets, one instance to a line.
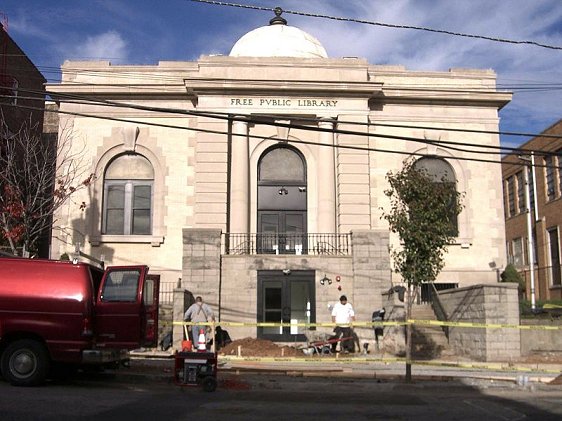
[258, 178]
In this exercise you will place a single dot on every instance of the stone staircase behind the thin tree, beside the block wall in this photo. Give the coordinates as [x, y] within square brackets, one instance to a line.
[429, 341]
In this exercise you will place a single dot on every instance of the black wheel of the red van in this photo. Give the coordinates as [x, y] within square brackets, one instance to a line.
[25, 363]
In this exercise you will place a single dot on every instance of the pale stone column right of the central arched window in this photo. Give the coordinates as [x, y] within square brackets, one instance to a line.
[326, 179]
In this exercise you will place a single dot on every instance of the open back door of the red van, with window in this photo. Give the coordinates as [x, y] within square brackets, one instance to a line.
[121, 318]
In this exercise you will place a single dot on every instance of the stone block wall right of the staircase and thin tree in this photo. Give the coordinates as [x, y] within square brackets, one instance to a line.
[485, 304]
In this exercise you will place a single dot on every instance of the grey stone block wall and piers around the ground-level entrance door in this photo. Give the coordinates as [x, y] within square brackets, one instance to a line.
[229, 284]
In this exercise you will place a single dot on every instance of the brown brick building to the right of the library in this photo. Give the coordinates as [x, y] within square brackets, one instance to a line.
[545, 196]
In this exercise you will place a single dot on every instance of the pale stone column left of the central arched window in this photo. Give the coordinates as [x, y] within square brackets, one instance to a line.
[240, 179]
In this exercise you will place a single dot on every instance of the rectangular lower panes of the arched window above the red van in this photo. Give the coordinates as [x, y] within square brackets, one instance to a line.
[128, 208]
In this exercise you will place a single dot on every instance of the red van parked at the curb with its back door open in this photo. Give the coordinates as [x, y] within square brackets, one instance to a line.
[56, 315]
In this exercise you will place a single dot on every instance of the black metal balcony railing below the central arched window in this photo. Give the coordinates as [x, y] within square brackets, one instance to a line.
[287, 243]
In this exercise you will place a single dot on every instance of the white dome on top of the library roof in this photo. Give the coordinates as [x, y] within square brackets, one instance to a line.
[278, 41]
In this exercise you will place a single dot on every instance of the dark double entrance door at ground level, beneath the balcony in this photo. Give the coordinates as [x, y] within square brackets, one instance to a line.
[285, 298]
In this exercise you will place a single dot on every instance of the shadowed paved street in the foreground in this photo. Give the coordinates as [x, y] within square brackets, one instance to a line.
[255, 397]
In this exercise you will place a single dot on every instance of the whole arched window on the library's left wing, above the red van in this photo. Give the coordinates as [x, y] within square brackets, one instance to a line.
[127, 197]
